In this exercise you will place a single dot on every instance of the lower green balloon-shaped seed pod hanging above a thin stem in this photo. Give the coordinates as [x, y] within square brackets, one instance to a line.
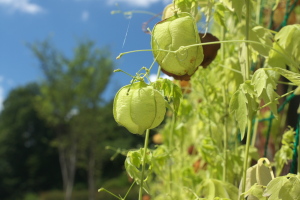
[141, 108]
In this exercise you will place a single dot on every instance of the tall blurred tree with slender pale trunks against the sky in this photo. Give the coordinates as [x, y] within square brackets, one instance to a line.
[72, 88]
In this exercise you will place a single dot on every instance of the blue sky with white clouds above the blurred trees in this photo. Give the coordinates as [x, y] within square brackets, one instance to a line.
[67, 22]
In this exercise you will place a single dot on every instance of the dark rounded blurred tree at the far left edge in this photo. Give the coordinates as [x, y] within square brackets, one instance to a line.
[25, 153]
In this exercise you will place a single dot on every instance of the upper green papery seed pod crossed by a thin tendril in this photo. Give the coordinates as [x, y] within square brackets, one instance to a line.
[172, 34]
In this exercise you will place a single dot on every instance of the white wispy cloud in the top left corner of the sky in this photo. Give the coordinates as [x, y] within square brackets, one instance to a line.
[24, 6]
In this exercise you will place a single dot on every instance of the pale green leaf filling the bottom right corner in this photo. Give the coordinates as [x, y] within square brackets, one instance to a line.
[284, 188]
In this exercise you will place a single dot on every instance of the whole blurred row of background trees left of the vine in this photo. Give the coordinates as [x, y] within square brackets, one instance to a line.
[53, 133]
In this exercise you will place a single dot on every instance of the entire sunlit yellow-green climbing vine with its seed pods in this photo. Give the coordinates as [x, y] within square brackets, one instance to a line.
[211, 137]
